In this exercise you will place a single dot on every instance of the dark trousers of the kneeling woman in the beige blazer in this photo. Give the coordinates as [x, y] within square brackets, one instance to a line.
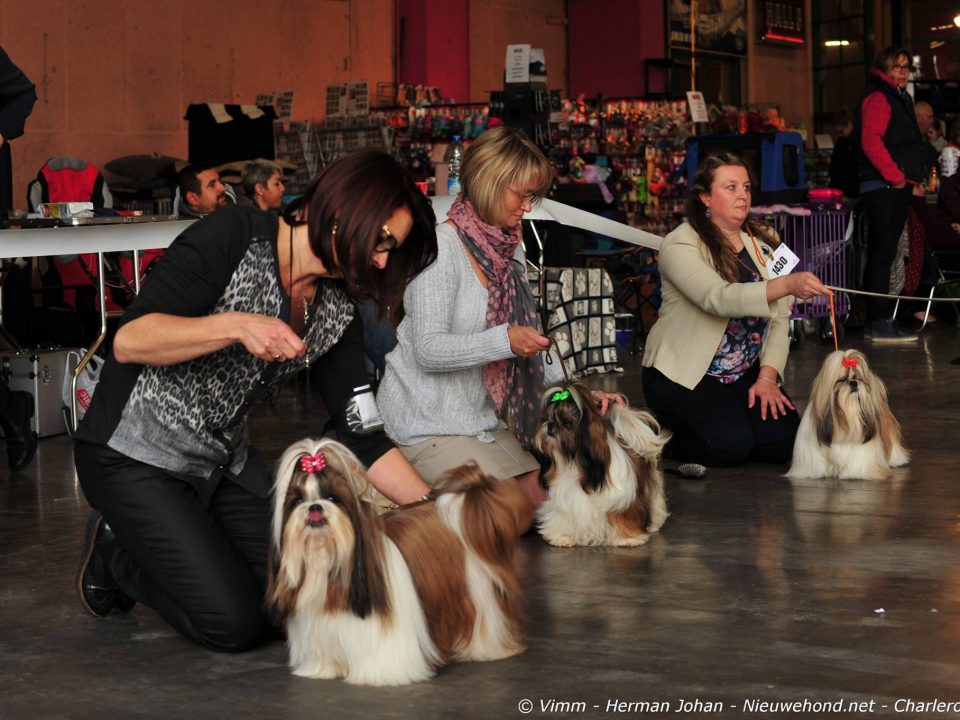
[712, 424]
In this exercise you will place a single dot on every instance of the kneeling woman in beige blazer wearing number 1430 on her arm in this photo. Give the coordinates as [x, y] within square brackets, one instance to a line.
[713, 359]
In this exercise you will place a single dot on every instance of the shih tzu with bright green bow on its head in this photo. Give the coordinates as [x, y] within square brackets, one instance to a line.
[601, 473]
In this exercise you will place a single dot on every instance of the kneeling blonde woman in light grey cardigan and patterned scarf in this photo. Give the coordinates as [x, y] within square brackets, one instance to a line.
[470, 350]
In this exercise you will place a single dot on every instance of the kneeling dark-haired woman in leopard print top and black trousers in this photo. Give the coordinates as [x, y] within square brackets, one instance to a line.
[241, 300]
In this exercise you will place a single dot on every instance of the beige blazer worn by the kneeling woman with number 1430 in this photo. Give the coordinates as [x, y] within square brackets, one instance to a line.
[698, 303]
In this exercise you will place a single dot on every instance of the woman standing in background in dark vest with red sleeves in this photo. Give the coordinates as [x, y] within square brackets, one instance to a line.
[892, 168]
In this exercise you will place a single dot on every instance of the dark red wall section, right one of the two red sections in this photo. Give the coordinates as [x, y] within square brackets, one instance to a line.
[608, 42]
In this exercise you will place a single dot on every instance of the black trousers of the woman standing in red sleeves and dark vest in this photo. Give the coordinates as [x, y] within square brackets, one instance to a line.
[886, 212]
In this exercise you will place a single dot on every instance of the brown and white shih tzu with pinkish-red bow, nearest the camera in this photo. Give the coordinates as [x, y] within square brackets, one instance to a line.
[386, 600]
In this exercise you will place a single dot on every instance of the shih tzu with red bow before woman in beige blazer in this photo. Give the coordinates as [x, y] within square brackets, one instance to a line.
[847, 431]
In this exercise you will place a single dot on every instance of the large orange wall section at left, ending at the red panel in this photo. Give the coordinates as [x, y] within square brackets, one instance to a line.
[114, 77]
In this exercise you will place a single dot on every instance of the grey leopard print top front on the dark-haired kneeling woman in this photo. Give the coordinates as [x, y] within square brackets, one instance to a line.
[177, 417]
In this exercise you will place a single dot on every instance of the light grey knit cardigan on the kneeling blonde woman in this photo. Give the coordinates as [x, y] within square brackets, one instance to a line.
[433, 383]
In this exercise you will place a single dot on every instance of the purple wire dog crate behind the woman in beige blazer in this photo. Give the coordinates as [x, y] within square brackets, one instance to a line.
[819, 238]
